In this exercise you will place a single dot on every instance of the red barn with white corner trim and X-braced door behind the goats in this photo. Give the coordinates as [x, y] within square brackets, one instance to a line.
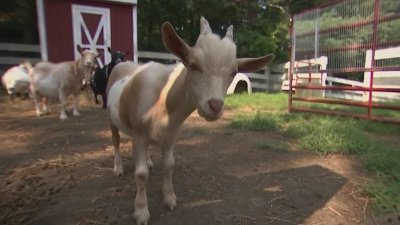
[95, 24]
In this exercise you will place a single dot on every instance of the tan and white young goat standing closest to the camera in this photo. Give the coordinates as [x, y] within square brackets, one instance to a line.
[150, 102]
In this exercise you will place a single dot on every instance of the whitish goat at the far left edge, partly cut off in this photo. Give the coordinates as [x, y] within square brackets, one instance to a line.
[16, 81]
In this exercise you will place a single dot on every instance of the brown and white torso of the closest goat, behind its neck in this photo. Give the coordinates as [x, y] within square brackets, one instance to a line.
[135, 89]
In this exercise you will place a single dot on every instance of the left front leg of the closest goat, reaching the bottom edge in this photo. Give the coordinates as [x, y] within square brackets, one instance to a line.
[139, 147]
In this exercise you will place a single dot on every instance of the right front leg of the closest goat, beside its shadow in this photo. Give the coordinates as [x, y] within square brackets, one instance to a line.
[169, 164]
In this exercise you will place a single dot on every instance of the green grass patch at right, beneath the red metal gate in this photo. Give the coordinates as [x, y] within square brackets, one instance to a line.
[329, 135]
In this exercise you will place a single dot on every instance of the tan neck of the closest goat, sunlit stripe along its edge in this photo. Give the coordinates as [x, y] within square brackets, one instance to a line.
[177, 96]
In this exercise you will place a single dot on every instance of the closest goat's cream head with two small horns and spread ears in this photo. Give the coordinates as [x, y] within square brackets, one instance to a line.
[211, 65]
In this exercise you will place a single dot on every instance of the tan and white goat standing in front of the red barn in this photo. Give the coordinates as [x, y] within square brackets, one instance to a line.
[60, 80]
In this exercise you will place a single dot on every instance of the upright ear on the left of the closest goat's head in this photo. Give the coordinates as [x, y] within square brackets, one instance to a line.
[174, 43]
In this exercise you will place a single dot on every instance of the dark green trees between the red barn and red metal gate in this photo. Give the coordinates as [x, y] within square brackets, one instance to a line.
[261, 27]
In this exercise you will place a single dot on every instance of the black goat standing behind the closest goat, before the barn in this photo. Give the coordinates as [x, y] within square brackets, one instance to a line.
[100, 77]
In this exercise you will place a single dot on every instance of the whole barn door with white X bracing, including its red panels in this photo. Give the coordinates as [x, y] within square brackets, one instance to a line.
[91, 30]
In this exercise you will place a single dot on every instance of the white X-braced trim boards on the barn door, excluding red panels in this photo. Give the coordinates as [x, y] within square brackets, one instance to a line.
[104, 24]
